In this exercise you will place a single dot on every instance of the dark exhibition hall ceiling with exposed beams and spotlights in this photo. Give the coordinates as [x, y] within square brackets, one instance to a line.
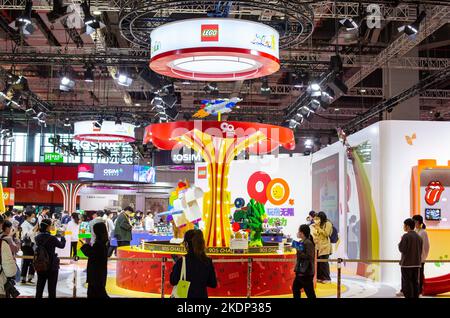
[61, 42]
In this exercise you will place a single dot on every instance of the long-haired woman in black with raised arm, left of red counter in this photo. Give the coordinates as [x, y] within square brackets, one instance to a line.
[97, 262]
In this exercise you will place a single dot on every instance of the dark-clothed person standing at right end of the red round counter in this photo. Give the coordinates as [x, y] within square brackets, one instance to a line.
[304, 269]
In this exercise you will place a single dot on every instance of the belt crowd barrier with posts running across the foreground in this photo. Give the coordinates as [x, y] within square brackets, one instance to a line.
[248, 260]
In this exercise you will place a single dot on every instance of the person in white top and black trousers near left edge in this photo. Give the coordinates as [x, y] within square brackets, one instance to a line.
[27, 238]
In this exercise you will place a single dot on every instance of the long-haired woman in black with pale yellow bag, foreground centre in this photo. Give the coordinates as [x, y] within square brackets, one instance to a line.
[199, 267]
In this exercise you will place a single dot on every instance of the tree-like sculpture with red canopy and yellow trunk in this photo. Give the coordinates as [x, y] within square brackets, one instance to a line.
[219, 143]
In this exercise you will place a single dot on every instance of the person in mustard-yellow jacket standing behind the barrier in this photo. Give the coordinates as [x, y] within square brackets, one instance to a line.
[321, 231]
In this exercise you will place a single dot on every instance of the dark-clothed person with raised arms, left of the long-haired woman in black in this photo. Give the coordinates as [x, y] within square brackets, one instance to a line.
[49, 242]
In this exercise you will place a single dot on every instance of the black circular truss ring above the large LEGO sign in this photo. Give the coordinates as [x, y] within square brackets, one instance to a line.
[293, 19]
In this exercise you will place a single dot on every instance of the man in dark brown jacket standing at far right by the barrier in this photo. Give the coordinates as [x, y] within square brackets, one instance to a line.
[410, 247]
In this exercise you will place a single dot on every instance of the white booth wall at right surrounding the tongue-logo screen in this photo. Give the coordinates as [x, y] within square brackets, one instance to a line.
[394, 152]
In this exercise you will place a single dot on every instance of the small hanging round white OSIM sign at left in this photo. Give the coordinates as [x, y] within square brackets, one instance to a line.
[108, 131]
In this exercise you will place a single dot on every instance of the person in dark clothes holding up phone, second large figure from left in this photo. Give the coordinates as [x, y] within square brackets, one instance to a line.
[47, 272]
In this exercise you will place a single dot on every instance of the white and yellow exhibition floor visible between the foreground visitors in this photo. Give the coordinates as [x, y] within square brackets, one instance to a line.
[353, 287]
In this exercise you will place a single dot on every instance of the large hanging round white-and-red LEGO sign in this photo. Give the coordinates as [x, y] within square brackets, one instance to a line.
[215, 49]
